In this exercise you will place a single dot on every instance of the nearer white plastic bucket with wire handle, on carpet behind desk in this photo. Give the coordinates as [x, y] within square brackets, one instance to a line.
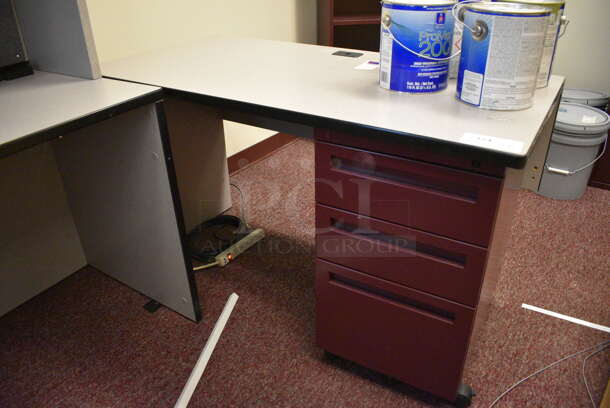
[579, 132]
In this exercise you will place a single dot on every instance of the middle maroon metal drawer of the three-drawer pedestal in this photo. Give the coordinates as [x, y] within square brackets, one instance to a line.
[423, 261]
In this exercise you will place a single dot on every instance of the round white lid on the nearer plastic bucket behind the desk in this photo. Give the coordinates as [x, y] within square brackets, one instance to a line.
[574, 118]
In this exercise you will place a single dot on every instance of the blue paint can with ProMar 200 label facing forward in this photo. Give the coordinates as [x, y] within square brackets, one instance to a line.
[415, 45]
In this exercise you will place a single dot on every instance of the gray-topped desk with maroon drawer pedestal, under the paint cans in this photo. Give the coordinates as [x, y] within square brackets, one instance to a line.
[426, 182]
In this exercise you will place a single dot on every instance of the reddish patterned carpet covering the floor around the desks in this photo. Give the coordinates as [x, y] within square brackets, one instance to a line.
[87, 342]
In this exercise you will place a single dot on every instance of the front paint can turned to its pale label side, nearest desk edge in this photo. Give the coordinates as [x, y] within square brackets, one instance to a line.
[501, 52]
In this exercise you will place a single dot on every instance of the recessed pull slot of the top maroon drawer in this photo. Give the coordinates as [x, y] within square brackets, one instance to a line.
[460, 192]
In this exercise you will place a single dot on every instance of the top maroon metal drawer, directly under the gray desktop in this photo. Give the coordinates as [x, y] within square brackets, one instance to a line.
[432, 198]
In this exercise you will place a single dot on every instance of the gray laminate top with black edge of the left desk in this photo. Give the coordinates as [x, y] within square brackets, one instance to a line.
[33, 106]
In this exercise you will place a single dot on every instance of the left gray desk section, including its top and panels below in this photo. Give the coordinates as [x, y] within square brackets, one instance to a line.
[84, 180]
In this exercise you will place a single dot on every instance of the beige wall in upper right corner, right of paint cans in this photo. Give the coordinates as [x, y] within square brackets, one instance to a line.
[583, 54]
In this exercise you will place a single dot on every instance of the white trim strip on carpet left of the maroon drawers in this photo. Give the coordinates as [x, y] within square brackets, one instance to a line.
[206, 353]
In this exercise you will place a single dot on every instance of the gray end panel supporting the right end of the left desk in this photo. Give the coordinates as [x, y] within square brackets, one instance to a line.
[125, 206]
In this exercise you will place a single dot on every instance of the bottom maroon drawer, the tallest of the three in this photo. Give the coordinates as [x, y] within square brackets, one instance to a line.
[417, 338]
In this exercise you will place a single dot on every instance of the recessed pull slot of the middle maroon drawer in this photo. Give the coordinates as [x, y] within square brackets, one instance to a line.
[404, 243]
